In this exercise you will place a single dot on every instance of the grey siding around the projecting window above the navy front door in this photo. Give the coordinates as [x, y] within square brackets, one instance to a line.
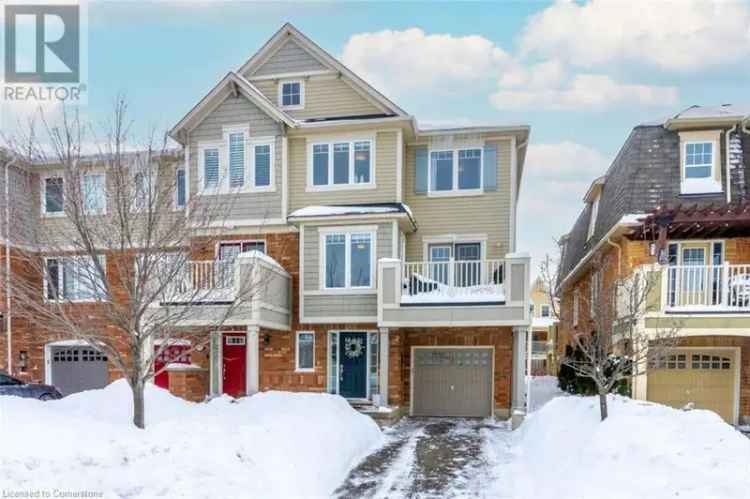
[335, 305]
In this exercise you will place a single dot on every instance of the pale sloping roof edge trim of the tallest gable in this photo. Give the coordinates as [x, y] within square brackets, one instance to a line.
[287, 32]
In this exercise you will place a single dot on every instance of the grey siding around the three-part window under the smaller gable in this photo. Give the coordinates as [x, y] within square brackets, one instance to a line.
[239, 111]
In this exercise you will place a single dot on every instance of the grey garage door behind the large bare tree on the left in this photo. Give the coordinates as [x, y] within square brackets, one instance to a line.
[75, 369]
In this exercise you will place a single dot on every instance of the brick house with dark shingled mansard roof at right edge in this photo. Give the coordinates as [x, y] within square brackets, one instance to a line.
[674, 203]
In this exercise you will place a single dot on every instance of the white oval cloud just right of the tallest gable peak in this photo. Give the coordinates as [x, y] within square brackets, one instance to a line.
[400, 61]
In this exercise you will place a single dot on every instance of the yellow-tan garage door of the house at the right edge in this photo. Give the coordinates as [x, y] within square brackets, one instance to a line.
[704, 378]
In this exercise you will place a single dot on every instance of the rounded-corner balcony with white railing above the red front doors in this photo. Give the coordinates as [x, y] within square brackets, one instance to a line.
[251, 289]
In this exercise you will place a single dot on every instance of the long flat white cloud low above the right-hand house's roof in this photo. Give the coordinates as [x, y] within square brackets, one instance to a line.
[583, 92]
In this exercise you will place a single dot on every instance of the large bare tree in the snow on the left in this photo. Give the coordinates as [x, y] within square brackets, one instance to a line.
[115, 271]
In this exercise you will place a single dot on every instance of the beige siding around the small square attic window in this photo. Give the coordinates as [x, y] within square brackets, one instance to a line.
[325, 96]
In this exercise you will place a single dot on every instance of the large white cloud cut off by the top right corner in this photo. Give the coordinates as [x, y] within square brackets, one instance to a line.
[686, 35]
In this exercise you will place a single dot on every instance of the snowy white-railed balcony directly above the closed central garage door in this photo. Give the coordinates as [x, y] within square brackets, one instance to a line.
[454, 293]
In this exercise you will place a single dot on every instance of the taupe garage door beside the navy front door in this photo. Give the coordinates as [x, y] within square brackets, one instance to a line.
[452, 382]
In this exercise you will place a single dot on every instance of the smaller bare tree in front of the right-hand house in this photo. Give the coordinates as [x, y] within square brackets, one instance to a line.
[611, 341]
